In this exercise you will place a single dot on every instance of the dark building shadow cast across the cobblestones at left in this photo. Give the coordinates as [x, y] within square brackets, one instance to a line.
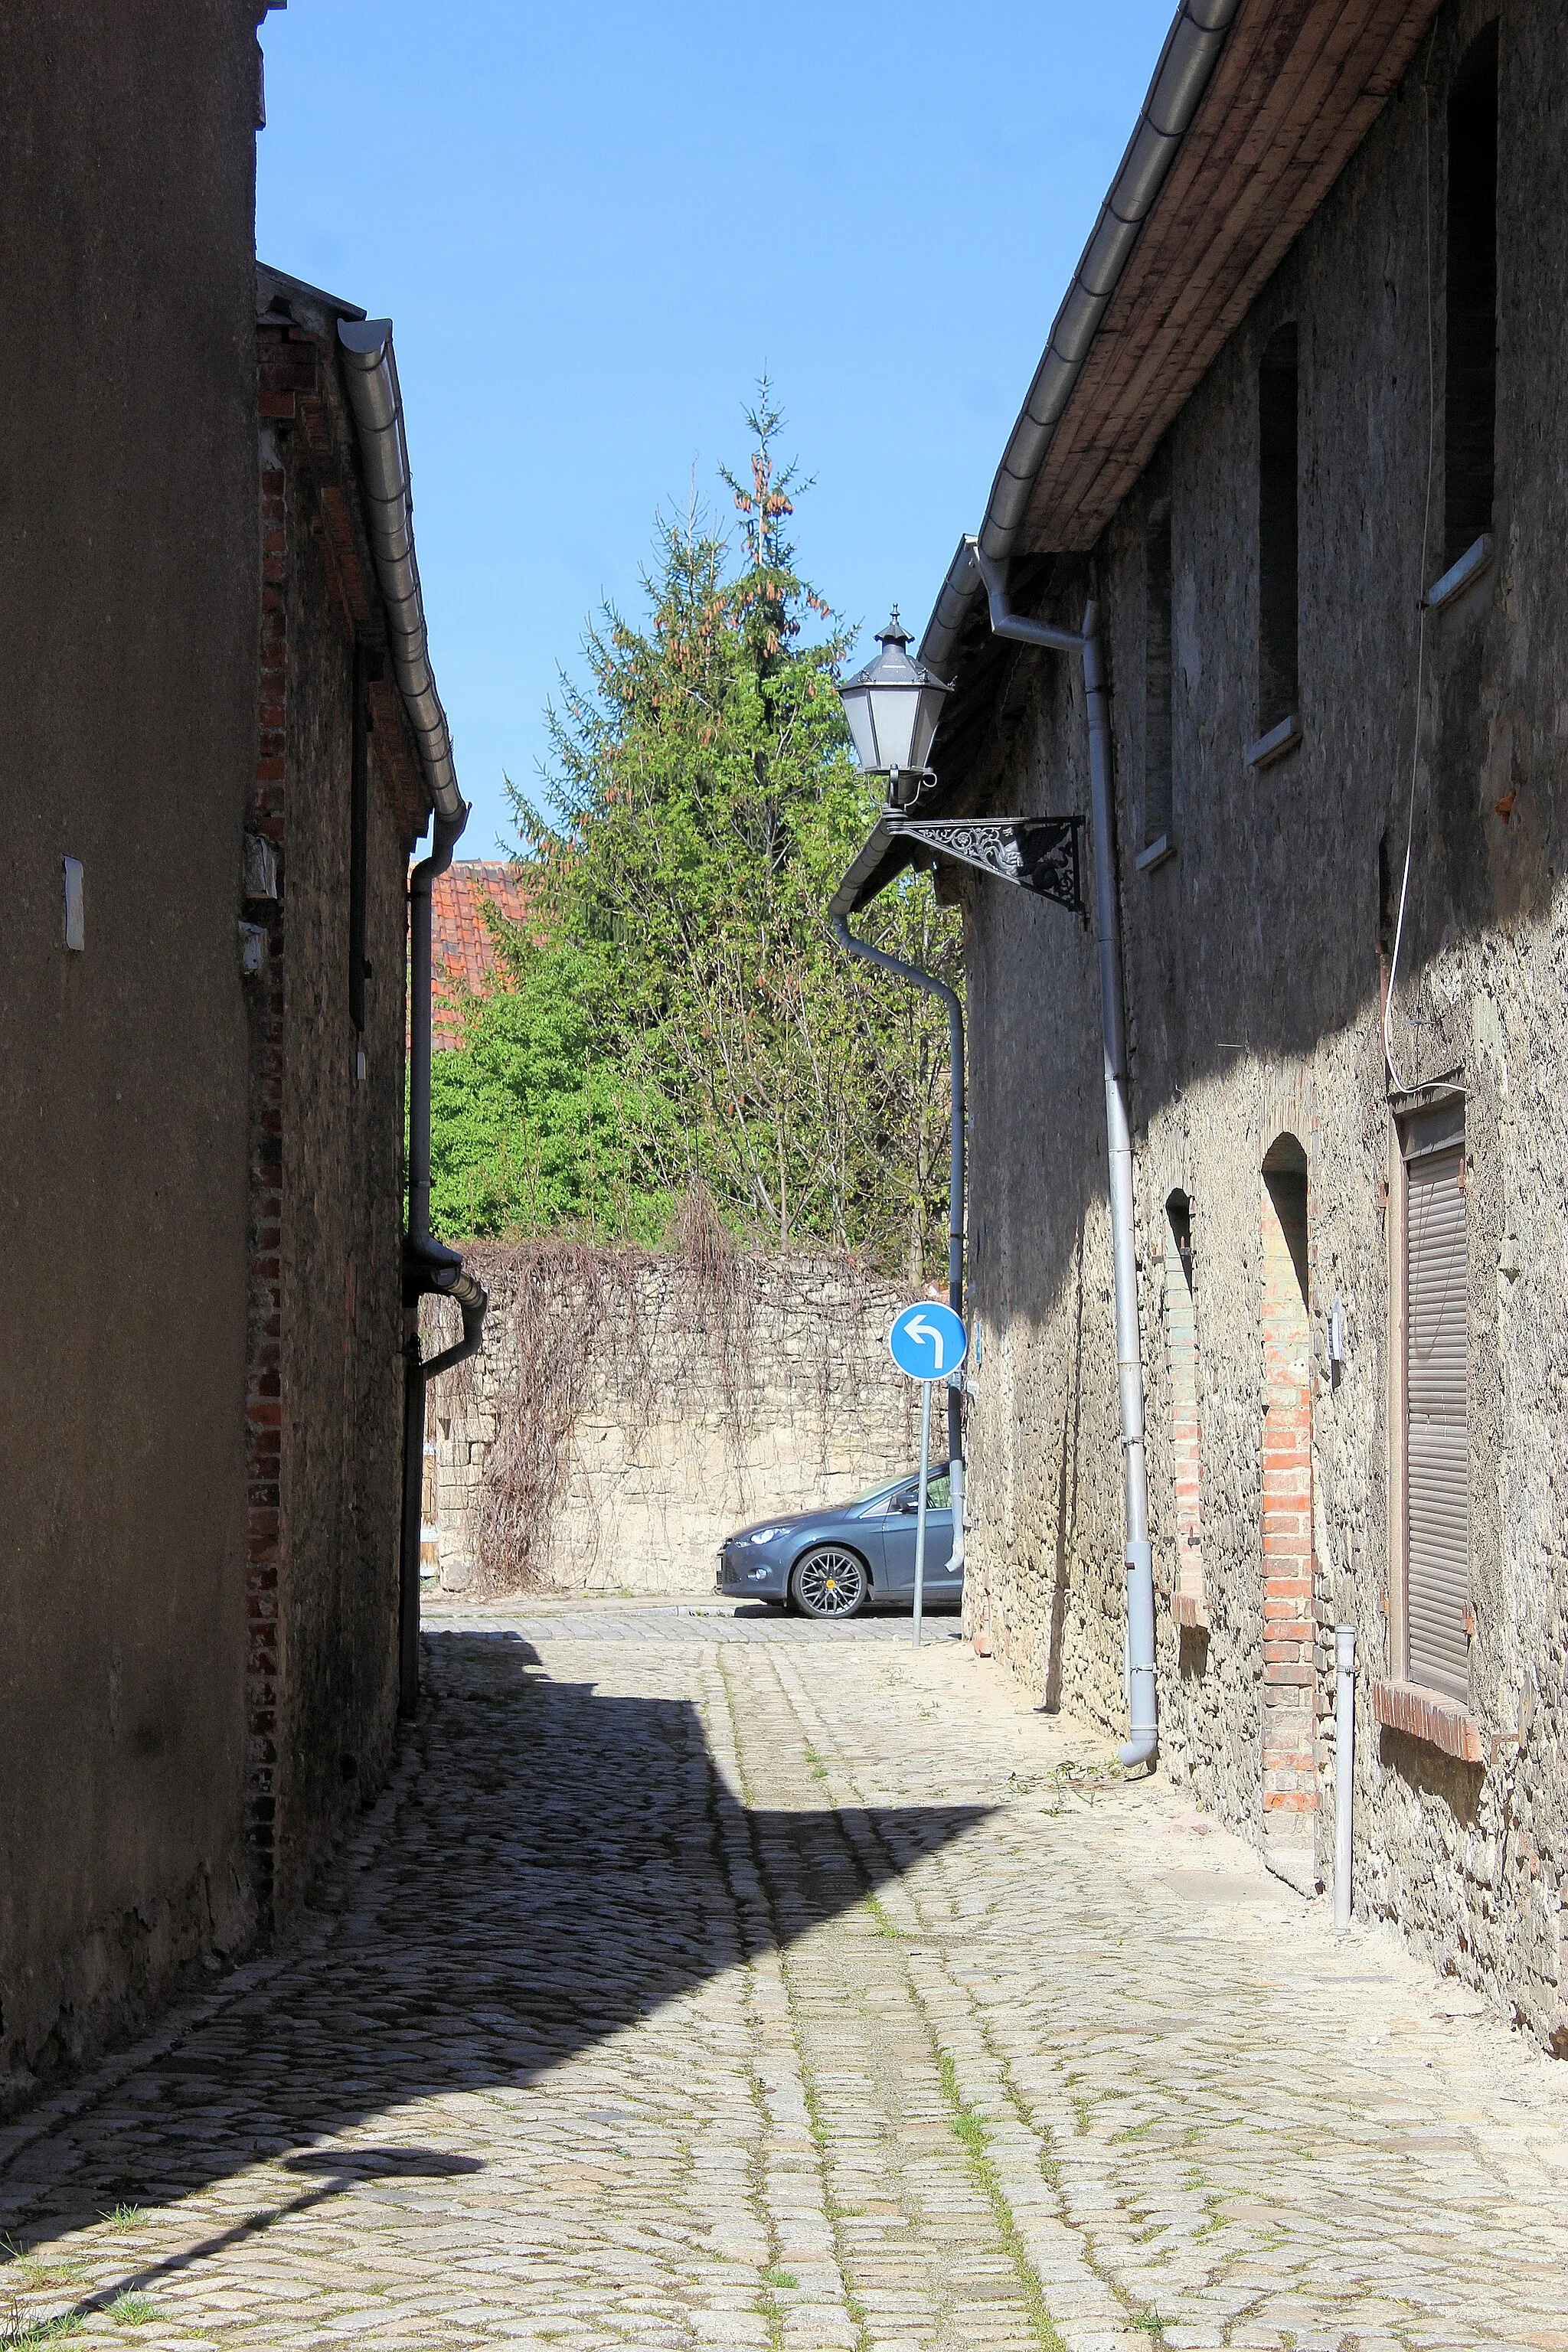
[551, 1866]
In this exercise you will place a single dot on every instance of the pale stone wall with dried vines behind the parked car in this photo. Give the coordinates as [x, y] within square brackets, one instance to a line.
[629, 1412]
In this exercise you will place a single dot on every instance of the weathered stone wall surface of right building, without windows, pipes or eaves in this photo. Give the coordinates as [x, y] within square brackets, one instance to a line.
[1254, 970]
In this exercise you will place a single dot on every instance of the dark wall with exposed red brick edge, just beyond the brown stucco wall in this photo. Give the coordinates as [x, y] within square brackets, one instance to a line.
[328, 1321]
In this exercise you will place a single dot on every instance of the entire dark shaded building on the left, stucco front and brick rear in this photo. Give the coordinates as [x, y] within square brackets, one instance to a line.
[203, 1401]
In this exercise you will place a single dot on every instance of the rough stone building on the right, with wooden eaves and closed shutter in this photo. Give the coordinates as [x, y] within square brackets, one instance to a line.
[1299, 436]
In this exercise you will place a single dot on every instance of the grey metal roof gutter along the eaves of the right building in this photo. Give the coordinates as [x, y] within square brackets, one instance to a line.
[1181, 79]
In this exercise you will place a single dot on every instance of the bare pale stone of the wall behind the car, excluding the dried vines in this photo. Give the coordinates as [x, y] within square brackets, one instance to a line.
[692, 1419]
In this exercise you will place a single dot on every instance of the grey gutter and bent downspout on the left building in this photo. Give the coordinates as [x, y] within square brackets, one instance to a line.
[429, 1269]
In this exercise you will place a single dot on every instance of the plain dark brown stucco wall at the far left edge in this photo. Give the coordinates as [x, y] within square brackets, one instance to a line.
[128, 580]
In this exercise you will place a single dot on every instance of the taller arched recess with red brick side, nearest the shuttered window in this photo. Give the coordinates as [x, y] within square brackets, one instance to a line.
[1289, 1751]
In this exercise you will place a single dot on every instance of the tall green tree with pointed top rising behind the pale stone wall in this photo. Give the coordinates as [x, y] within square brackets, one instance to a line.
[692, 1017]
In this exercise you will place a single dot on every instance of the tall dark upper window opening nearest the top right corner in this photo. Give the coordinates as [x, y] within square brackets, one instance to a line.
[1470, 389]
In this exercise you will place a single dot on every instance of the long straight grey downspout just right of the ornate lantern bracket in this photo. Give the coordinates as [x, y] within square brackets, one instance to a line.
[1120, 1149]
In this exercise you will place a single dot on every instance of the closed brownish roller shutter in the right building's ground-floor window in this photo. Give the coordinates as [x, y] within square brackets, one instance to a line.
[1438, 1424]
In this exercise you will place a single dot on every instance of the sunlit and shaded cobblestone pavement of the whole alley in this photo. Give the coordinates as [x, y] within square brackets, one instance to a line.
[723, 1982]
